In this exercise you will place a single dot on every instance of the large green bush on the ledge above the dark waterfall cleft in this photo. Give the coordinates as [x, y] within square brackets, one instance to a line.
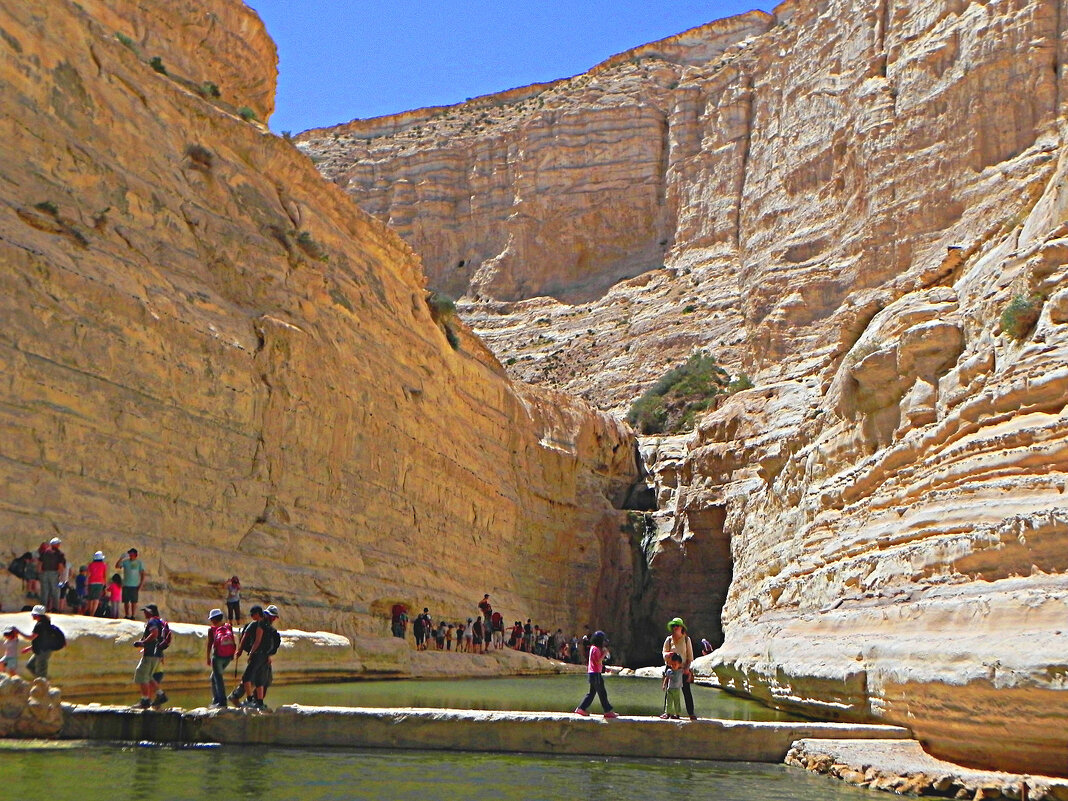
[673, 403]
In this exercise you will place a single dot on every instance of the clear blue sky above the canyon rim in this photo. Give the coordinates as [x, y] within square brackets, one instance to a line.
[347, 59]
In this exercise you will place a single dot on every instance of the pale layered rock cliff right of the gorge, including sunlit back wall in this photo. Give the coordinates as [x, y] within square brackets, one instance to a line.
[862, 207]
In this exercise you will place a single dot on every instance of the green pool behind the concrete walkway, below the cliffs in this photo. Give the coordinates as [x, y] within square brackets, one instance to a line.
[629, 695]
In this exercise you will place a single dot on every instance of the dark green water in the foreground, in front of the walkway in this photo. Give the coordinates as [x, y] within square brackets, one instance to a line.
[132, 774]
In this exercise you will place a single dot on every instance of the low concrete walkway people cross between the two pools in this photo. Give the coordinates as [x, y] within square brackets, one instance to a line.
[452, 730]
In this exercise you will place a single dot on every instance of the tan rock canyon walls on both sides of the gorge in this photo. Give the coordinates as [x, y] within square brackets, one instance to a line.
[219, 345]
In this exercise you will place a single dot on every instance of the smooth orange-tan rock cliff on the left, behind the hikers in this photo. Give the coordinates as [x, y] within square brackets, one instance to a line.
[209, 353]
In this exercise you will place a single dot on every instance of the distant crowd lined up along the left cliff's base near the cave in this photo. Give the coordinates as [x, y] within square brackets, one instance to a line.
[486, 631]
